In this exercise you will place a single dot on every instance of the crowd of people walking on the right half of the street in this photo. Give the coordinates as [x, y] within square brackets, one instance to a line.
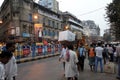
[97, 54]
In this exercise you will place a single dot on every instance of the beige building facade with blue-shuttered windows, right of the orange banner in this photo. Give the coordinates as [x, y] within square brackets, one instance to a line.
[51, 21]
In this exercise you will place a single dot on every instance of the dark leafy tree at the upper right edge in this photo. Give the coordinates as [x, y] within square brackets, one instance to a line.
[113, 17]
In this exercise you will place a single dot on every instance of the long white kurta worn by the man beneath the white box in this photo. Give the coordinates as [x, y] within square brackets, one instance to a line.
[71, 65]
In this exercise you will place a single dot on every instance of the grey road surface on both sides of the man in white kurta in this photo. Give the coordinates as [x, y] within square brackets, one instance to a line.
[51, 69]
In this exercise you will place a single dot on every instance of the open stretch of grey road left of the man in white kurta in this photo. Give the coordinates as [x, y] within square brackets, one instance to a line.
[44, 69]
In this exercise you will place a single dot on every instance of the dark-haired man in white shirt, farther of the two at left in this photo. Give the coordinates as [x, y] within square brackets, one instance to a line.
[11, 66]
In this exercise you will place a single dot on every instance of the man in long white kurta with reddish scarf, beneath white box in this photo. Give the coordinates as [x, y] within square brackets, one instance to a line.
[71, 61]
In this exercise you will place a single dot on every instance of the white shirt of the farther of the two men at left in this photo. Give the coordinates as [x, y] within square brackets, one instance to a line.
[11, 69]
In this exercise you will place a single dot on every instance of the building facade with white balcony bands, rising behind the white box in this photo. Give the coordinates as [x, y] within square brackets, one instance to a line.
[73, 24]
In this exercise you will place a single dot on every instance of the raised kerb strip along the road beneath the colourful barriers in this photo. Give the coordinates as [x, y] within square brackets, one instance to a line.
[22, 60]
